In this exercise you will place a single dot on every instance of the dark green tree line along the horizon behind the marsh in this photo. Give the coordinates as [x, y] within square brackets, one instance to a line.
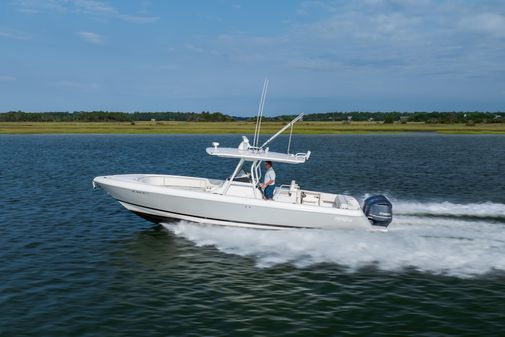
[205, 116]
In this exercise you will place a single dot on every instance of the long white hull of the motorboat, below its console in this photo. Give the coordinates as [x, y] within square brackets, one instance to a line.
[163, 204]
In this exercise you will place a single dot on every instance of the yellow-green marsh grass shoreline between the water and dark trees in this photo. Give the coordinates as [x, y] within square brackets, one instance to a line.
[303, 128]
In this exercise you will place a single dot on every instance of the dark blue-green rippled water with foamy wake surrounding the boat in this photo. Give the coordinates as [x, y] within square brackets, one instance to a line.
[73, 262]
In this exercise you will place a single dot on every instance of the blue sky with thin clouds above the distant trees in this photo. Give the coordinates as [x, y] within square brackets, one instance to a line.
[319, 56]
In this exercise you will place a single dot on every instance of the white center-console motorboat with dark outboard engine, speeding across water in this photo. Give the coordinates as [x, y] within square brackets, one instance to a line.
[238, 199]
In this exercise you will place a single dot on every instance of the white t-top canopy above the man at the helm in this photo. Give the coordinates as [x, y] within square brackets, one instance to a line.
[255, 155]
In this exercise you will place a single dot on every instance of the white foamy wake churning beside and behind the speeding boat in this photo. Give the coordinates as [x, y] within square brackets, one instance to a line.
[464, 240]
